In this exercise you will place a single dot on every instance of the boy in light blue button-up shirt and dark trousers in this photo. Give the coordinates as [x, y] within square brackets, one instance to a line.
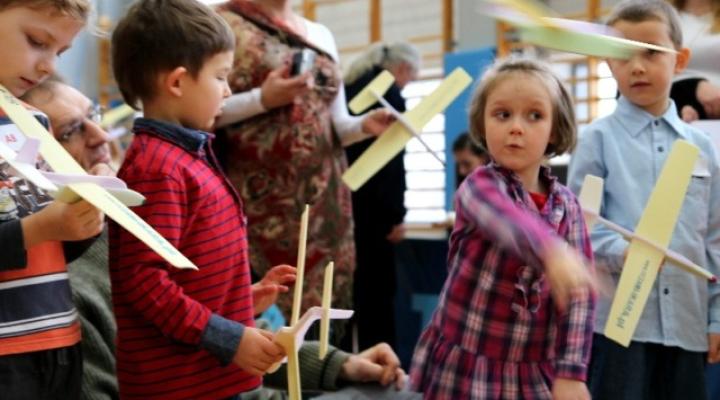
[628, 149]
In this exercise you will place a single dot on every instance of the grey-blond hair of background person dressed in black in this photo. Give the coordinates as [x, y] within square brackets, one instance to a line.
[384, 56]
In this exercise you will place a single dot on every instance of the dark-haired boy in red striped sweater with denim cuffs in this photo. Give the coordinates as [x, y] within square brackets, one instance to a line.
[181, 333]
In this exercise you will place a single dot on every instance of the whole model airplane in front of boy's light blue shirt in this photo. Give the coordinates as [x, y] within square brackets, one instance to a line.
[648, 244]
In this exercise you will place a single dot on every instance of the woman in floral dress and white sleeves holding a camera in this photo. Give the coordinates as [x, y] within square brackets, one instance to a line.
[281, 142]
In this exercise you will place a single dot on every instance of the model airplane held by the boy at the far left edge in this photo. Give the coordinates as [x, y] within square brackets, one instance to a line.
[72, 178]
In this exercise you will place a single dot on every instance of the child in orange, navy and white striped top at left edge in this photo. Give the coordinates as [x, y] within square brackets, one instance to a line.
[39, 328]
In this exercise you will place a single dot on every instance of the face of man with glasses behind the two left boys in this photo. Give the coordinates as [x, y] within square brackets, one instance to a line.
[75, 125]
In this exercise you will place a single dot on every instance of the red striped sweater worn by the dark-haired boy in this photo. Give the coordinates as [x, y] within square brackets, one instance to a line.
[162, 311]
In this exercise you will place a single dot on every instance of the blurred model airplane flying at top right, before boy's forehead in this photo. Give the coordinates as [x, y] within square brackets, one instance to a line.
[539, 25]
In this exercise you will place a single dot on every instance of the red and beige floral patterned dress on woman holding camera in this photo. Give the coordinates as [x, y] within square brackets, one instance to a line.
[288, 157]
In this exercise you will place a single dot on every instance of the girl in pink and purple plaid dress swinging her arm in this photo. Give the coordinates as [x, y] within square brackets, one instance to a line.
[497, 332]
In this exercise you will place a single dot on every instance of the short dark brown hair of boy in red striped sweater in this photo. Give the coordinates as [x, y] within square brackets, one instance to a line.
[156, 36]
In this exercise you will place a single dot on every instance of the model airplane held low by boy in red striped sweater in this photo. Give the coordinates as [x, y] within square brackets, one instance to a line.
[292, 337]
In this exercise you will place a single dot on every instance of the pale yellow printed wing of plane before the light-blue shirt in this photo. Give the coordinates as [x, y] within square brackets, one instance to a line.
[656, 225]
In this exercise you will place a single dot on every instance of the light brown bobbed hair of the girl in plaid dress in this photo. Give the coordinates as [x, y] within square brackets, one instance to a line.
[564, 131]
